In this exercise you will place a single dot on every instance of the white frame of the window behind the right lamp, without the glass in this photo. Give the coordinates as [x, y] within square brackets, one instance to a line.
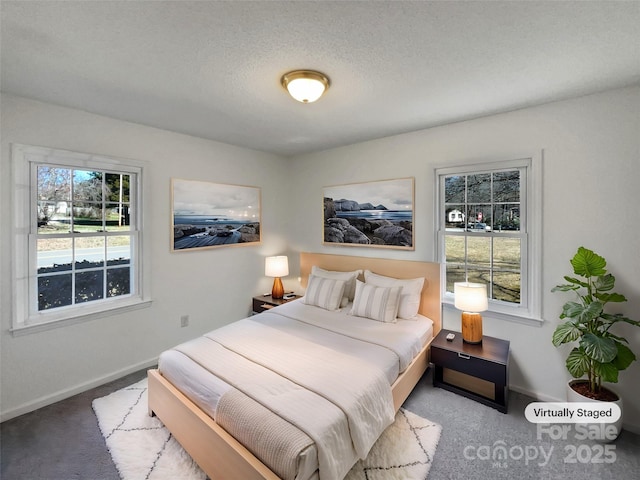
[529, 309]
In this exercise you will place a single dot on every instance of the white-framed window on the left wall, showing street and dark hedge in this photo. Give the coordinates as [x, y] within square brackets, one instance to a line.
[78, 246]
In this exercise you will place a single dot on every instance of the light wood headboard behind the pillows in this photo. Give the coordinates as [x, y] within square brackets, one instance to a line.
[430, 302]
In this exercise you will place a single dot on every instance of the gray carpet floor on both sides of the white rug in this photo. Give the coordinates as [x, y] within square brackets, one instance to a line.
[63, 441]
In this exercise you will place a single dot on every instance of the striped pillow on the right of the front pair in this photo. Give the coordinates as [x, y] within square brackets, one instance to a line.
[376, 303]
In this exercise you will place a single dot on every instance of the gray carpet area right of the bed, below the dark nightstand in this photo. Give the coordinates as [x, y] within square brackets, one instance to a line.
[470, 431]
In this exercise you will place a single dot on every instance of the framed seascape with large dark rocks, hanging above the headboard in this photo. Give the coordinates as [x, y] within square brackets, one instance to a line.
[372, 214]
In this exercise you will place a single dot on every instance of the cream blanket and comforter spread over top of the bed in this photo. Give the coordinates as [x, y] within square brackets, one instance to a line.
[298, 363]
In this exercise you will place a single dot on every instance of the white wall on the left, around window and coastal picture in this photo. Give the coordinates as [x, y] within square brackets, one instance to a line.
[212, 286]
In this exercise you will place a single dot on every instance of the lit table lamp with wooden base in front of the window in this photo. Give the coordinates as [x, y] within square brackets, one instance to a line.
[471, 298]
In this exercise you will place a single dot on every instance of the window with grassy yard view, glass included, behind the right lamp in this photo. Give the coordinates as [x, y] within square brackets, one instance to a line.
[488, 232]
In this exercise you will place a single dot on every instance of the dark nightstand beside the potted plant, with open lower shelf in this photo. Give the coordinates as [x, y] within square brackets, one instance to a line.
[479, 372]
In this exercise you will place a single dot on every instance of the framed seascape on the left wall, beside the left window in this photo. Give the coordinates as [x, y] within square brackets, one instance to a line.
[209, 215]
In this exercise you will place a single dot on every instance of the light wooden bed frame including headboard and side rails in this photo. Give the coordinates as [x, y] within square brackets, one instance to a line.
[220, 455]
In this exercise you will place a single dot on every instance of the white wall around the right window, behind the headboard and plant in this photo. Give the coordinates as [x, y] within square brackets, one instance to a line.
[591, 196]
